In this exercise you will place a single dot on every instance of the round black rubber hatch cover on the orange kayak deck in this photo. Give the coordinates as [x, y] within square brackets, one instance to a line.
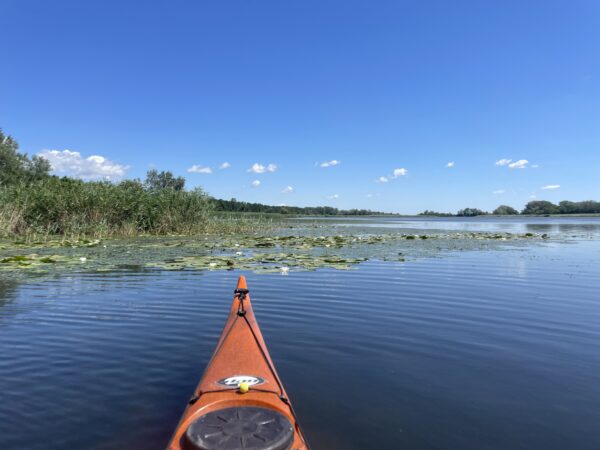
[247, 428]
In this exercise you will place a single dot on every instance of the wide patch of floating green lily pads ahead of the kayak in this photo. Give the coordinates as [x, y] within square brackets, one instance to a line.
[283, 253]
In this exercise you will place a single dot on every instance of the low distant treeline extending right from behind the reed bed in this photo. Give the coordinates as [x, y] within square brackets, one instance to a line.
[234, 205]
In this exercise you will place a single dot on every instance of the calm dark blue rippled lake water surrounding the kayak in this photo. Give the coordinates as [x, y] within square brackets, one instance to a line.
[473, 350]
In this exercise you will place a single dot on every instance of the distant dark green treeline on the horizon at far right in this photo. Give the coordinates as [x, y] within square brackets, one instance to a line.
[536, 207]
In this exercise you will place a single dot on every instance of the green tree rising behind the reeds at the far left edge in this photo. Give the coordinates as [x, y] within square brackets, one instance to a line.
[17, 167]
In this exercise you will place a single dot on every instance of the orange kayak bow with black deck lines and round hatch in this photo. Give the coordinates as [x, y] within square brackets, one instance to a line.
[240, 402]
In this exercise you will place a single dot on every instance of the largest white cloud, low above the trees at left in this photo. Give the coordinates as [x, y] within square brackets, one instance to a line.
[73, 164]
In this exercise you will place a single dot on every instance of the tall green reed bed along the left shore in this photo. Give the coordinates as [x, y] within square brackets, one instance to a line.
[73, 209]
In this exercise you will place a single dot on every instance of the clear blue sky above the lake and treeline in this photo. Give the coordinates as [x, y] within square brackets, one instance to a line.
[376, 86]
